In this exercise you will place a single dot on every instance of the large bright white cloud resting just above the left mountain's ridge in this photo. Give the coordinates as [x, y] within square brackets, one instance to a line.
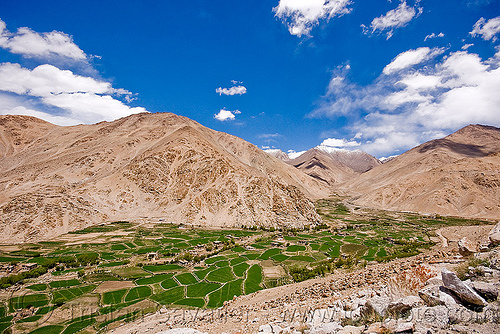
[80, 99]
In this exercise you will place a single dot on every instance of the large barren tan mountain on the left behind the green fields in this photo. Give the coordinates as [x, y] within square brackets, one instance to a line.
[56, 179]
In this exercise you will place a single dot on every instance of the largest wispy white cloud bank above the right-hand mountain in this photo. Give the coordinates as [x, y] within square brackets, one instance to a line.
[420, 101]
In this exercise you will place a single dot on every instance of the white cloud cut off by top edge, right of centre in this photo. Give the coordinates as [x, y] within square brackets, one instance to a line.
[302, 15]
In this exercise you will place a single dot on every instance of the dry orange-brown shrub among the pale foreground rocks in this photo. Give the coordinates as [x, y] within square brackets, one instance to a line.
[409, 282]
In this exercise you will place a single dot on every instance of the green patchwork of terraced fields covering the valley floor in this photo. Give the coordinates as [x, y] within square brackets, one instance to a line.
[124, 269]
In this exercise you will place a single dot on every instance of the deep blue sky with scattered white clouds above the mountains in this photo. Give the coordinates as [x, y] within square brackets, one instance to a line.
[377, 75]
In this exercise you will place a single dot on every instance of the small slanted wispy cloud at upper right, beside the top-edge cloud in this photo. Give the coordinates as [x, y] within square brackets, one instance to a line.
[393, 19]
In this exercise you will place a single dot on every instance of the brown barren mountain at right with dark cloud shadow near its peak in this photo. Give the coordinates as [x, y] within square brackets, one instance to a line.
[456, 175]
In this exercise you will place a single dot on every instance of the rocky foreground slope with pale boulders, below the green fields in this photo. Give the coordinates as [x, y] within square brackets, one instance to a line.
[421, 294]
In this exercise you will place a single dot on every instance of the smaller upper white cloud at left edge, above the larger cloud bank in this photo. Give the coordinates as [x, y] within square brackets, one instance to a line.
[29, 43]
